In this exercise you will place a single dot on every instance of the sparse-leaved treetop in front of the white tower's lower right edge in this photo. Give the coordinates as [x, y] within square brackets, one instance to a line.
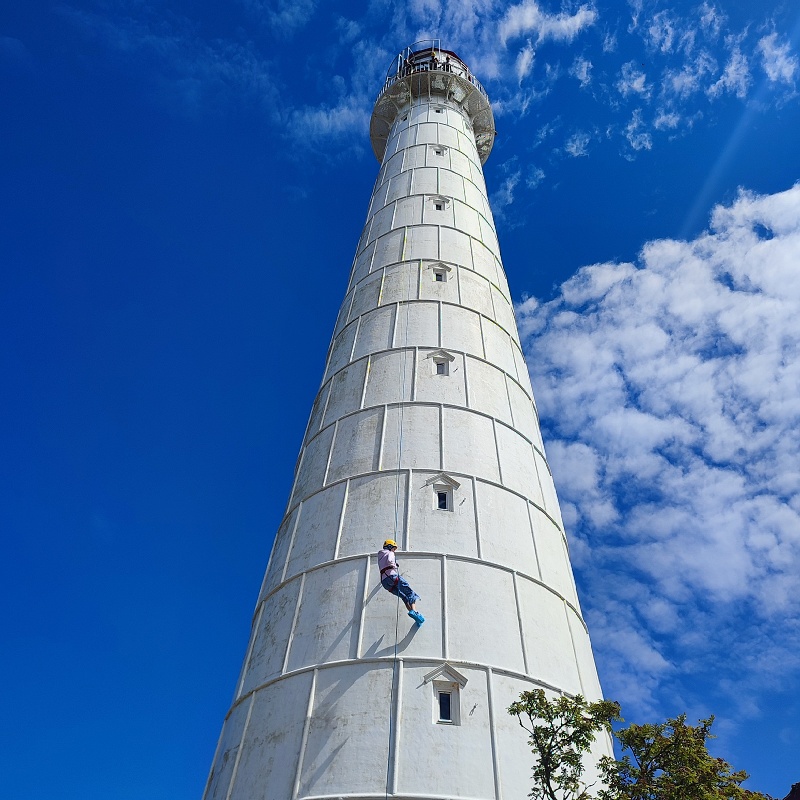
[560, 732]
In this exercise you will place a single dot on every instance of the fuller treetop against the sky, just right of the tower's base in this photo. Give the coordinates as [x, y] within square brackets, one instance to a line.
[670, 761]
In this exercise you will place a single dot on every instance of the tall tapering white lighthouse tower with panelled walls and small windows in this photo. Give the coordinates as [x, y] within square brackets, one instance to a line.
[425, 431]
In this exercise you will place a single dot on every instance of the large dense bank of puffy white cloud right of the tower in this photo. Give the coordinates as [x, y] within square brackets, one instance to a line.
[669, 390]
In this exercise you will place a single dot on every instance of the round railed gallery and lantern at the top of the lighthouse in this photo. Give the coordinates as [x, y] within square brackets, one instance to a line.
[424, 69]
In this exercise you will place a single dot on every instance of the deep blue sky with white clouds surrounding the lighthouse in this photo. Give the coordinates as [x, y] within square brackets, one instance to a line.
[183, 186]
